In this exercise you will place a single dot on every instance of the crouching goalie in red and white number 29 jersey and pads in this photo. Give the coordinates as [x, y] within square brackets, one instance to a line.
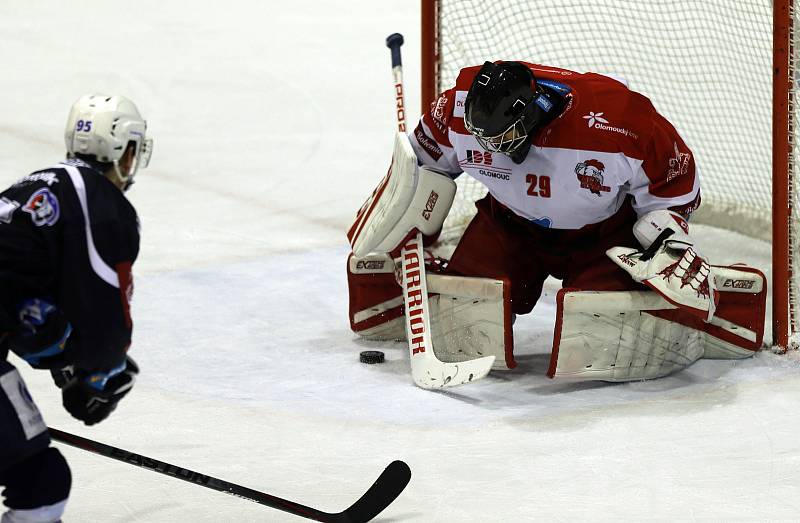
[587, 183]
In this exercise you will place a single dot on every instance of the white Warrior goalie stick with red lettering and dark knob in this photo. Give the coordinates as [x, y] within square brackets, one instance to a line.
[428, 371]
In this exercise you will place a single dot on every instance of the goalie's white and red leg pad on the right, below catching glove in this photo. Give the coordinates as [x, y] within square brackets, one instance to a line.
[623, 336]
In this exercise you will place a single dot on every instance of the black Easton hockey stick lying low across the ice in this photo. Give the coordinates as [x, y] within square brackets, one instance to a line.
[380, 495]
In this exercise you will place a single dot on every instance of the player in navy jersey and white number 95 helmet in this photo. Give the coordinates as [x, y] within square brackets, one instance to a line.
[68, 239]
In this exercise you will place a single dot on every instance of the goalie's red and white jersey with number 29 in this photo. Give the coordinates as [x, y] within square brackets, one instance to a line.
[608, 142]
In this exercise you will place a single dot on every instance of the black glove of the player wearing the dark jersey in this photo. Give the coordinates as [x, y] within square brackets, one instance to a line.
[92, 397]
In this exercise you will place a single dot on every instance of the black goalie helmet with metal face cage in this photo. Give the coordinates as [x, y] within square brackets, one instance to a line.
[504, 106]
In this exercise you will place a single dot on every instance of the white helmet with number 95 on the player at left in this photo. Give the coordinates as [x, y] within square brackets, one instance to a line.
[102, 126]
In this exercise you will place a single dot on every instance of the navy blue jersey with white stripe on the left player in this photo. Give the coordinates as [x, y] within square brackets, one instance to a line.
[69, 236]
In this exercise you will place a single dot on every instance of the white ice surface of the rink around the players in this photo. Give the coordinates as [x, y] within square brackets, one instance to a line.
[272, 122]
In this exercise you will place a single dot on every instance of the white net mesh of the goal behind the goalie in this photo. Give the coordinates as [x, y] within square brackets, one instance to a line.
[706, 65]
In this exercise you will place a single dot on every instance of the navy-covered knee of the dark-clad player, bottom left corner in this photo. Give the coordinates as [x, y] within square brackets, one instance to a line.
[37, 488]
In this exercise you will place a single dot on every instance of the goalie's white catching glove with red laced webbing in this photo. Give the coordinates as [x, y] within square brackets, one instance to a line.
[670, 264]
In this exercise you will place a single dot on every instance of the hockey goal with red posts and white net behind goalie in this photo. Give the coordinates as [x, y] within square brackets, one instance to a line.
[721, 71]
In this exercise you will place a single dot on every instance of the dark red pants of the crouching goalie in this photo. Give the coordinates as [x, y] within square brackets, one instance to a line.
[500, 244]
